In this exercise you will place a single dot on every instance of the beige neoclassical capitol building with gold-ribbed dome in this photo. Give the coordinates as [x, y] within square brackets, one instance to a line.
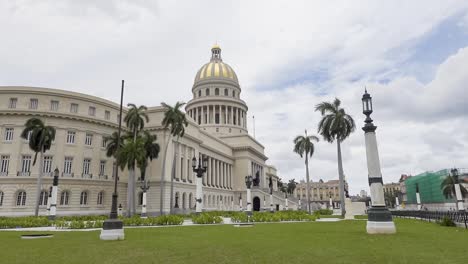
[217, 130]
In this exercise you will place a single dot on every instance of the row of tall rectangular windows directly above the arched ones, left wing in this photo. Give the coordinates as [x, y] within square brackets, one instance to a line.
[25, 168]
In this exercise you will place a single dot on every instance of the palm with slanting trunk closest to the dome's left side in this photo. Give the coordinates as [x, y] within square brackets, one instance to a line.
[175, 120]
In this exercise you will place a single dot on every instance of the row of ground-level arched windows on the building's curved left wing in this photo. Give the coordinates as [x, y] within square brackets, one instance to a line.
[65, 197]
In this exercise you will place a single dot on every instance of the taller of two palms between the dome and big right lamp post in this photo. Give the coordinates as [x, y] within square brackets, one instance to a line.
[336, 125]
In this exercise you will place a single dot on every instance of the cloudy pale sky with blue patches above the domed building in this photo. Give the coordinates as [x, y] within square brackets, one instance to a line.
[289, 55]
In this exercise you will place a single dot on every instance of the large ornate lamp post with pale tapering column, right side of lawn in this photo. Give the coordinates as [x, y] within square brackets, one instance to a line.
[379, 217]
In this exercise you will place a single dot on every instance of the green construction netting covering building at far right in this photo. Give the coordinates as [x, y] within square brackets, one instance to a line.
[429, 187]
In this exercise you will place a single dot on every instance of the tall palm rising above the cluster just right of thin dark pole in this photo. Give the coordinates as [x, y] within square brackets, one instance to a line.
[135, 121]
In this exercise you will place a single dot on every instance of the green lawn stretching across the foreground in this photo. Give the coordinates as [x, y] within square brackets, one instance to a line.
[314, 242]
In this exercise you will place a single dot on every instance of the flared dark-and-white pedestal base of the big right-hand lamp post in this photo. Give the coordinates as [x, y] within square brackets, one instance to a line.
[380, 221]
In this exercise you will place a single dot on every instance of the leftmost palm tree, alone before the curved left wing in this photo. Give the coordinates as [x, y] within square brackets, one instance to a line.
[40, 140]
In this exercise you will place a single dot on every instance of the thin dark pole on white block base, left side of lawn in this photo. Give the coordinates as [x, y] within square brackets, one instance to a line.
[112, 228]
